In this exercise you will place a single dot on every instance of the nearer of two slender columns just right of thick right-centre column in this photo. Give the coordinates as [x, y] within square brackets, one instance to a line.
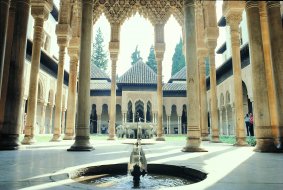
[211, 35]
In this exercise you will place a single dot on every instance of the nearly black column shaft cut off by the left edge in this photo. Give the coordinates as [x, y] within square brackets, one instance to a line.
[8, 48]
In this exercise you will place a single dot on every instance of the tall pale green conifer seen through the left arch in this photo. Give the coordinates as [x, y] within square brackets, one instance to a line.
[99, 56]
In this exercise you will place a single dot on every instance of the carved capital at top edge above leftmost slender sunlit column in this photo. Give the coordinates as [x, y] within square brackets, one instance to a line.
[41, 9]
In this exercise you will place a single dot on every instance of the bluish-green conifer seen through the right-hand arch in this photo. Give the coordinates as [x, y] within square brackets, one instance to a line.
[178, 59]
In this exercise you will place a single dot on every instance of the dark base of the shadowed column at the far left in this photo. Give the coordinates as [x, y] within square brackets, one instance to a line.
[9, 142]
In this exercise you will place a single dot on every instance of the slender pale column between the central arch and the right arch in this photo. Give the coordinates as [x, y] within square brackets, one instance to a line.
[159, 53]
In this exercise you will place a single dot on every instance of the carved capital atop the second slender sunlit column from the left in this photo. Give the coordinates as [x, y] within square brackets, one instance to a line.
[63, 32]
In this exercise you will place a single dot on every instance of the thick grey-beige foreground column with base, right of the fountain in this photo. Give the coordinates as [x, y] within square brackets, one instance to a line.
[193, 100]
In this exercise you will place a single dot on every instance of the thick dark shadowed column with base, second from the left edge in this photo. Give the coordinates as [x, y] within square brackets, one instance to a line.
[9, 137]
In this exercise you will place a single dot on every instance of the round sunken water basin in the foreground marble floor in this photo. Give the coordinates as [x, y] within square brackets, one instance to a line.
[115, 176]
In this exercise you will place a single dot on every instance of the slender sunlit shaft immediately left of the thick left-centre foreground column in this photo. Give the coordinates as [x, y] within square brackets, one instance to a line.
[72, 94]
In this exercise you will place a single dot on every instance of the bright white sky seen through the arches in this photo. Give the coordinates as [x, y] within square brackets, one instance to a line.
[137, 31]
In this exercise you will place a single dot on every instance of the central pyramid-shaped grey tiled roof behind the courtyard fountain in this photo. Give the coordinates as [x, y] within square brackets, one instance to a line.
[139, 73]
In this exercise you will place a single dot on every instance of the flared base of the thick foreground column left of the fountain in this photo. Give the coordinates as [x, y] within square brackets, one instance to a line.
[81, 144]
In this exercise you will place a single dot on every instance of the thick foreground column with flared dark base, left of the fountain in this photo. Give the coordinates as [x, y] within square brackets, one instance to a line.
[82, 130]
